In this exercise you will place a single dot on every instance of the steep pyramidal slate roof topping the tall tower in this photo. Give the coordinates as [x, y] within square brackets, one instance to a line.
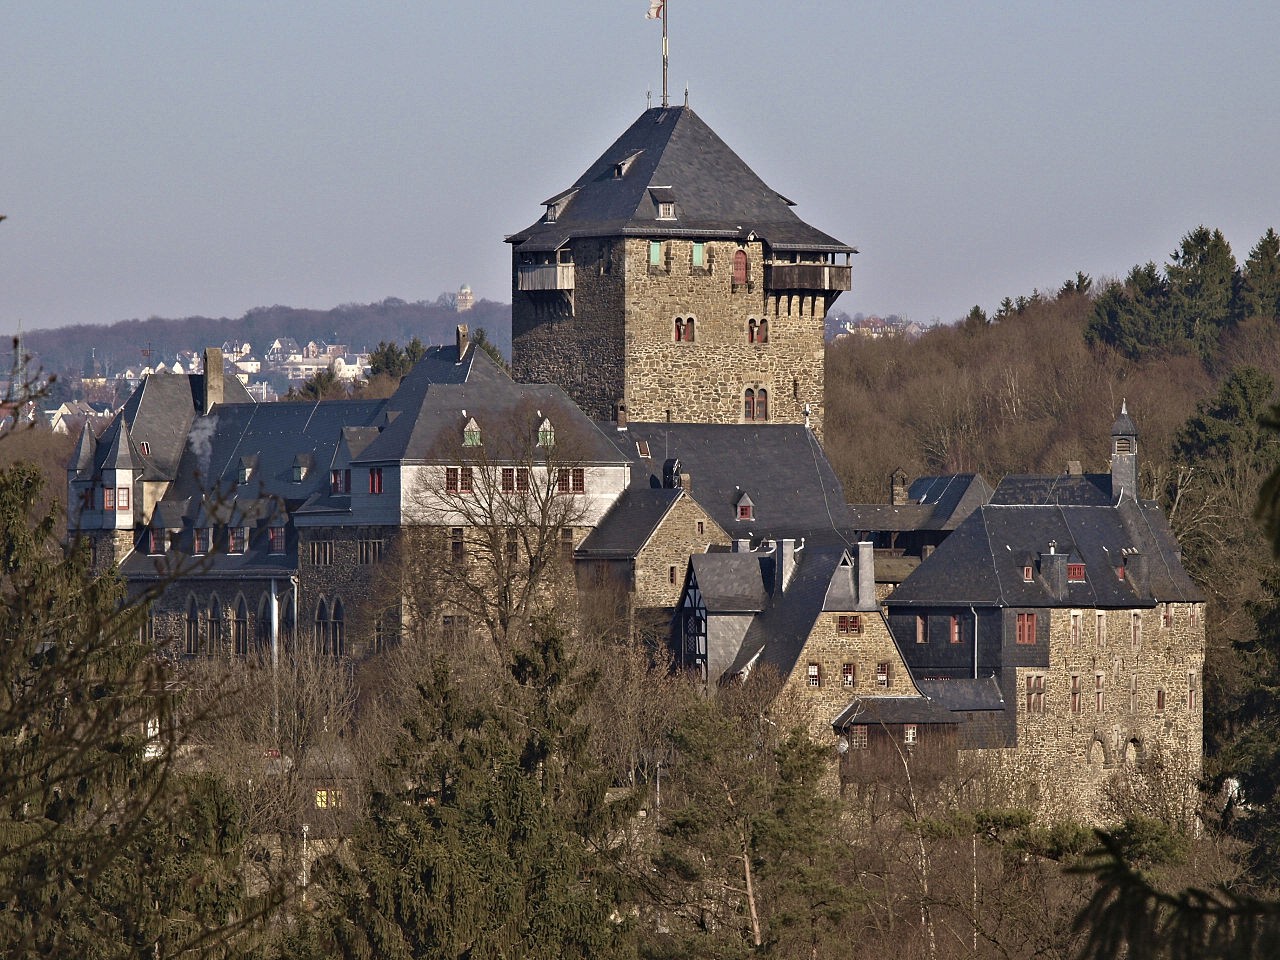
[669, 154]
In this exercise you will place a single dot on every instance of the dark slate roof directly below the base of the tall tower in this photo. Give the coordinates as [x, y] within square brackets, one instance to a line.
[780, 467]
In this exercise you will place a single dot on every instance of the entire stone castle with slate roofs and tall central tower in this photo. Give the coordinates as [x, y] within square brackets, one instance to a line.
[668, 318]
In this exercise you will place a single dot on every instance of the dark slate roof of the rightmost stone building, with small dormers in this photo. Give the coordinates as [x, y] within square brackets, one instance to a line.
[982, 563]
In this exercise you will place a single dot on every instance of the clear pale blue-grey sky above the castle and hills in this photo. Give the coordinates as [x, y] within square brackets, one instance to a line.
[207, 158]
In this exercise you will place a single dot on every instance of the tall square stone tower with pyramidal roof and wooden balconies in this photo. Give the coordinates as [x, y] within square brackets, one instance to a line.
[671, 281]
